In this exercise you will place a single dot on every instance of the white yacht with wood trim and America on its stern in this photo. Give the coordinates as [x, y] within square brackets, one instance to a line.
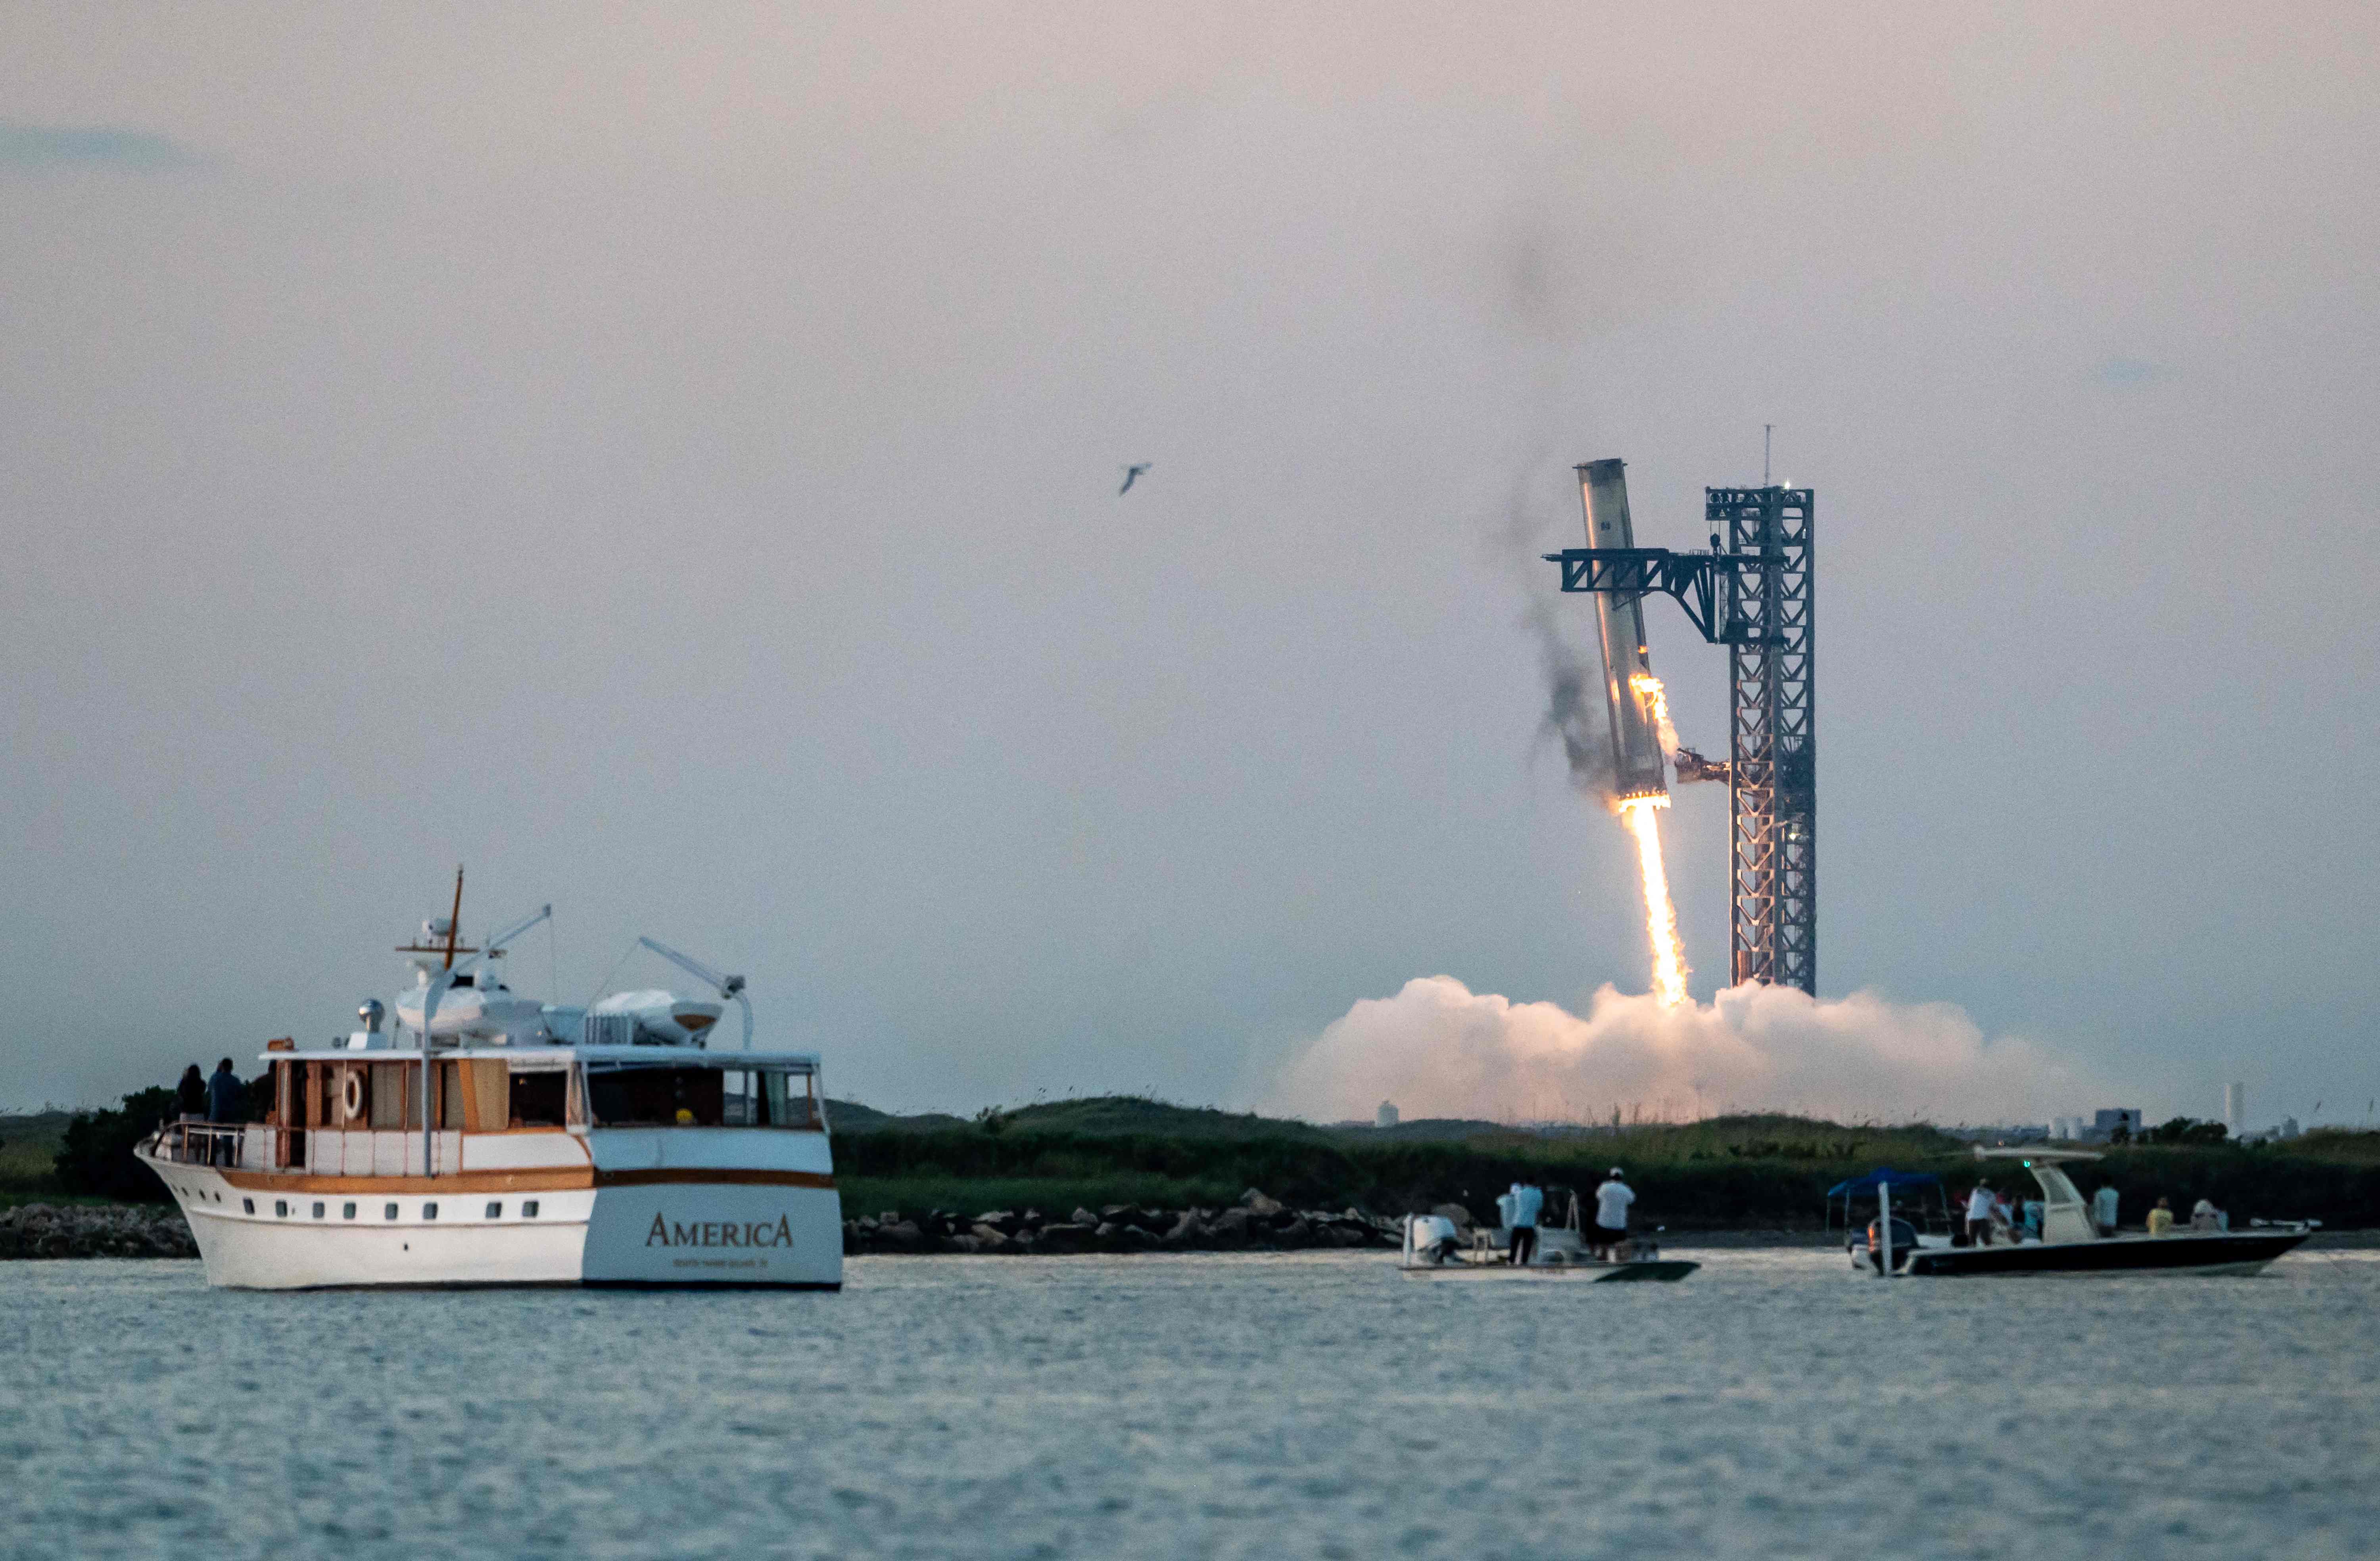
[499, 1141]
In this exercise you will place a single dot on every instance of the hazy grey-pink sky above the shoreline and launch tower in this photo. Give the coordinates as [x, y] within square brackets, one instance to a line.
[668, 463]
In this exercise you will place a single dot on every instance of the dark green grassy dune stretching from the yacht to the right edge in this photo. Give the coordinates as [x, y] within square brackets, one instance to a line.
[1717, 1174]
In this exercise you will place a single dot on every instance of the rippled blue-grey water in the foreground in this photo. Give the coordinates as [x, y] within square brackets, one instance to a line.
[1298, 1405]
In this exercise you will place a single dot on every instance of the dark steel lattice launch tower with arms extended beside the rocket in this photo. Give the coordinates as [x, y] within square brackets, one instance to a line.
[1750, 594]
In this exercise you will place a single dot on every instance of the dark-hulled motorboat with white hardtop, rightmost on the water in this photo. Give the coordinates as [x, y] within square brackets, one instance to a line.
[2069, 1243]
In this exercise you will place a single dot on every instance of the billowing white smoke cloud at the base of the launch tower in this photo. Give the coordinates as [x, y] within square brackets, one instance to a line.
[1443, 1051]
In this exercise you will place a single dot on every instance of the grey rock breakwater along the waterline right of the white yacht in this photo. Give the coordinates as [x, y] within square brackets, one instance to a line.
[1255, 1224]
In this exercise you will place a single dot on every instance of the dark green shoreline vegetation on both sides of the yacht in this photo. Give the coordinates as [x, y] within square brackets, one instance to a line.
[1146, 1165]
